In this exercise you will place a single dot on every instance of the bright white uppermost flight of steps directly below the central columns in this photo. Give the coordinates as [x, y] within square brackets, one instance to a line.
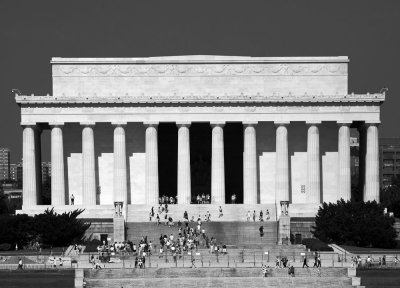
[231, 212]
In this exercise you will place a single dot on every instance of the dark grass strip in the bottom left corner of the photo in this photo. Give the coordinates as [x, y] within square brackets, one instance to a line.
[37, 278]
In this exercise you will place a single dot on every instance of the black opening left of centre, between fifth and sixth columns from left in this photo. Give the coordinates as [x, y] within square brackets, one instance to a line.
[167, 159]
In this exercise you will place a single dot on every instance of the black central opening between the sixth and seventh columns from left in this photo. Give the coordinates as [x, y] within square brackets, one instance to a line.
[200, 159]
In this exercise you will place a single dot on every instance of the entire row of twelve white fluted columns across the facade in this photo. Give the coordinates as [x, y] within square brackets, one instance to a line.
[31, 147]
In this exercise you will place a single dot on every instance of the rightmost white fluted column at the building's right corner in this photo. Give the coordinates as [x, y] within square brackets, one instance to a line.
[371, 191]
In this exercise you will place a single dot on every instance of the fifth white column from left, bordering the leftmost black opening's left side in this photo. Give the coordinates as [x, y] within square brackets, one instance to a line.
[151, 180]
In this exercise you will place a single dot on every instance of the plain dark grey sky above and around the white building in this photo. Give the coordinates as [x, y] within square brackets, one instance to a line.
[31, 32]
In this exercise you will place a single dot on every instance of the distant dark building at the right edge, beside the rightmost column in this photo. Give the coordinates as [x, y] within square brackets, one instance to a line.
[389, 160]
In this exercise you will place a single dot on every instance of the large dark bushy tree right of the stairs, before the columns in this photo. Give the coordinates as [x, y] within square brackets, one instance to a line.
[355, 223]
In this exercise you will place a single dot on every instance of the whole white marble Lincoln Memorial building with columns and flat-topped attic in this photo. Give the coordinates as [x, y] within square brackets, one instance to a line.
[271, 130]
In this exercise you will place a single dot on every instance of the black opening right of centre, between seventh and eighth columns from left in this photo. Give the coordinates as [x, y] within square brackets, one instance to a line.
[233, 145]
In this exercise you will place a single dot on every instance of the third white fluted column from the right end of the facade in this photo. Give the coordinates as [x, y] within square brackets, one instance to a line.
[313, 187]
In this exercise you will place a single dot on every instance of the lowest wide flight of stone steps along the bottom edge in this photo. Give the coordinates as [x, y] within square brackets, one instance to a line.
[216, 277]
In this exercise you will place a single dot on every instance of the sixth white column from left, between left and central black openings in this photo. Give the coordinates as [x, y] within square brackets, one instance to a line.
[184, 185]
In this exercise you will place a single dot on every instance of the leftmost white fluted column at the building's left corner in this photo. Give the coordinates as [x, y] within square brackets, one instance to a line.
[29, 166]
